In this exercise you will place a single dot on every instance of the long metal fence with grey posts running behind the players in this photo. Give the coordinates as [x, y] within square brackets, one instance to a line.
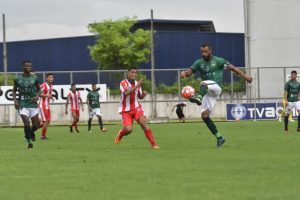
[267, 86]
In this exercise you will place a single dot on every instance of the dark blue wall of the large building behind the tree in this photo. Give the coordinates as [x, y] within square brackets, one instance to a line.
[172, 50]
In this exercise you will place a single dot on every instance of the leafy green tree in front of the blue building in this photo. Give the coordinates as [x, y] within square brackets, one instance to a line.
[117, 47]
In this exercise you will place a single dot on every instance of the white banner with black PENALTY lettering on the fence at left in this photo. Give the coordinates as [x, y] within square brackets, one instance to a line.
[60, 93]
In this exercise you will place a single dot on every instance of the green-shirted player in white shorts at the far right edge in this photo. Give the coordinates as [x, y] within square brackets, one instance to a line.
[291, 96]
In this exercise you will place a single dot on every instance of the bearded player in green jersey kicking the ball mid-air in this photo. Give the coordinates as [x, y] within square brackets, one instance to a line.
[211, 72]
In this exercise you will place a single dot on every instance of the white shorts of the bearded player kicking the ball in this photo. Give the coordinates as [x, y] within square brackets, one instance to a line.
[209, 100]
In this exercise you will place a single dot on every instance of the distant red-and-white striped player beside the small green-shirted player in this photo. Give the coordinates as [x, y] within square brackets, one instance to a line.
[74, 98]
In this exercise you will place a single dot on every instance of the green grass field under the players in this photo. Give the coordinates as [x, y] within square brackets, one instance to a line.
[258, 161]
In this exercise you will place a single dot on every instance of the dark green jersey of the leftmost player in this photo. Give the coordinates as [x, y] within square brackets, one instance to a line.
[26, 87]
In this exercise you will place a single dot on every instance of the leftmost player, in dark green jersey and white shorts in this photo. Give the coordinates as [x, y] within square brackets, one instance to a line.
[29, 89]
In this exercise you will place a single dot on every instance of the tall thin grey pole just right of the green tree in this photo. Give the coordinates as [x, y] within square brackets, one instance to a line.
[153, 94]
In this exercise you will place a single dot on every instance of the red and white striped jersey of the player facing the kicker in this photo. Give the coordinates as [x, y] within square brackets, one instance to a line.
[131, 101]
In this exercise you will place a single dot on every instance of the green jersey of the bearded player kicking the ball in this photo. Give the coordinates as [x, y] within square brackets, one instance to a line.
[211, 69]
